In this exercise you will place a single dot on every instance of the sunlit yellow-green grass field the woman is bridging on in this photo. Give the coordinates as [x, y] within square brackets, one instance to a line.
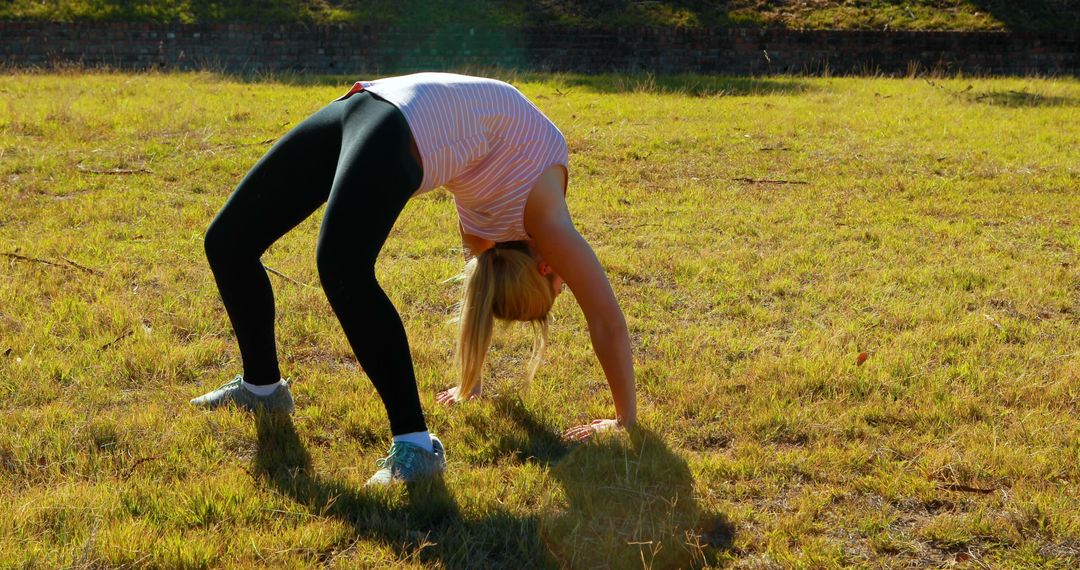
[855, 309]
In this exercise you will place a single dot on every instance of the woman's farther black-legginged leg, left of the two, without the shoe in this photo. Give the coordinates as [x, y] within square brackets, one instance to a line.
[283, 188]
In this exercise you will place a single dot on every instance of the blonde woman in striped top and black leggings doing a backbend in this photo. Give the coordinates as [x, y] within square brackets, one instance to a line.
[366, 155]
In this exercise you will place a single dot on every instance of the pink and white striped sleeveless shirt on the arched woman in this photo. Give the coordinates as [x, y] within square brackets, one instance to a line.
[482, 140]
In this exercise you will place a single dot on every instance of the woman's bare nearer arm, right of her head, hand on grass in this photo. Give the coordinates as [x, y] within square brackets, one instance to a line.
[548, 222]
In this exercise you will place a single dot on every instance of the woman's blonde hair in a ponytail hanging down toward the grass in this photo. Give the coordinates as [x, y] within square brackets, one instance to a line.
[501, 283]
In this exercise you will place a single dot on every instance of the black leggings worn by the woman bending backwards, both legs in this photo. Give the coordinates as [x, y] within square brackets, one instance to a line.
[353, 155]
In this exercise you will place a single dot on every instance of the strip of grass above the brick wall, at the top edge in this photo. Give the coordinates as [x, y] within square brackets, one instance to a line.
[816, 15]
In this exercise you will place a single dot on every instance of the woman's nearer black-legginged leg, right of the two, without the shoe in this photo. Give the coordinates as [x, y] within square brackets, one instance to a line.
[376, 177]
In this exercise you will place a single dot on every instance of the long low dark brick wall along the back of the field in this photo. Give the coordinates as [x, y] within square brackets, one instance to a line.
[253, 48]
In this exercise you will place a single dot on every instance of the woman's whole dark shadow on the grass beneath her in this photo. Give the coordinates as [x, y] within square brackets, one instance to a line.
[627, 503]
